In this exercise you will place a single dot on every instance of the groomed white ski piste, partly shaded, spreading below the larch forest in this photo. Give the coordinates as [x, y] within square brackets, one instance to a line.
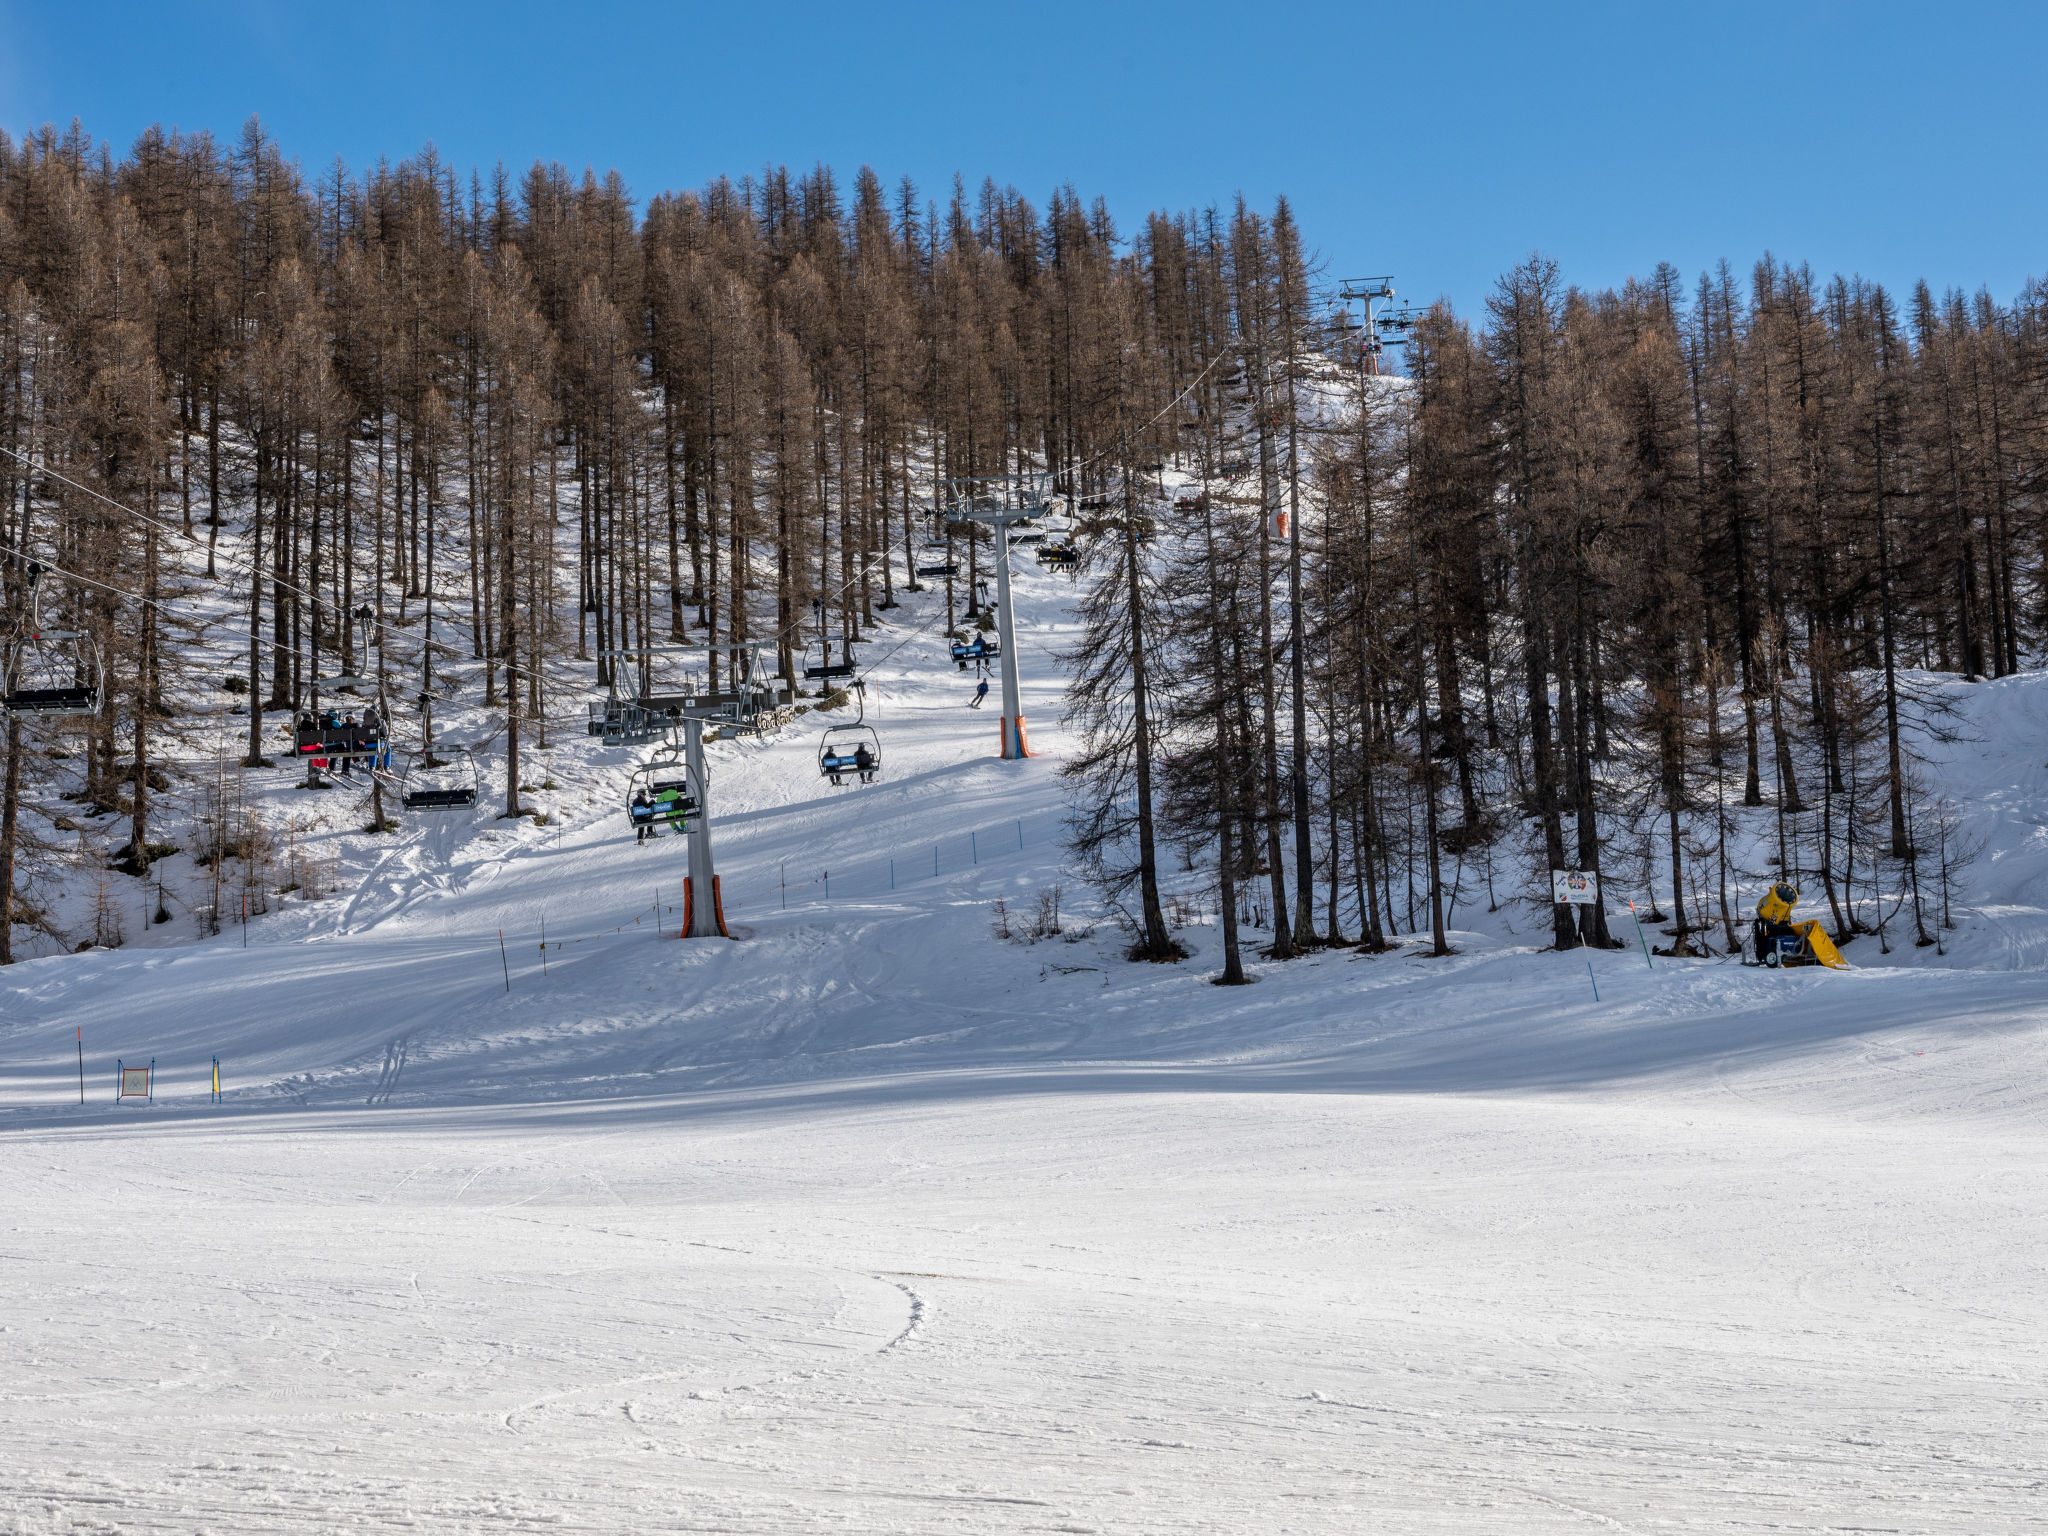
[873, 1222]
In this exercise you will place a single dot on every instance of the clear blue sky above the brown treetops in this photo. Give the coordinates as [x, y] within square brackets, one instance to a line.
[1433, 142]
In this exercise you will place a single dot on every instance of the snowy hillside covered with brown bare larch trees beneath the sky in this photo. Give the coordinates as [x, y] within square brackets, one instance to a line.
[1603, 572]
